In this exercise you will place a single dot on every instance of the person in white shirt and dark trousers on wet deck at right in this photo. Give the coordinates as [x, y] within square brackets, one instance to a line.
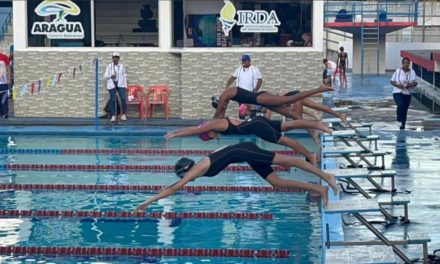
[403, 80]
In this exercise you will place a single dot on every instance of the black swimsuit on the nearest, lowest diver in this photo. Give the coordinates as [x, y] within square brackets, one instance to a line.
[259, 159]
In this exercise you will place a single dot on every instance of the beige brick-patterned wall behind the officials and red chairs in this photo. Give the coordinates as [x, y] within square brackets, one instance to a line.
[193, 78]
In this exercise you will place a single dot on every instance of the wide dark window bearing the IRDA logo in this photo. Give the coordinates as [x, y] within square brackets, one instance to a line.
[242, 23]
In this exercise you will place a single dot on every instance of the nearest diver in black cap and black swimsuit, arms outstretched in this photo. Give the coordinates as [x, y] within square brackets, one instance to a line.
[259, 160]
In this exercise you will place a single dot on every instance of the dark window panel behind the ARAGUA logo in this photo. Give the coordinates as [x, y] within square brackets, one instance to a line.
[63, 23]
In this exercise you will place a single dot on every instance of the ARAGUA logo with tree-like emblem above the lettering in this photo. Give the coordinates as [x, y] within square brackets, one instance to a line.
[59, 28]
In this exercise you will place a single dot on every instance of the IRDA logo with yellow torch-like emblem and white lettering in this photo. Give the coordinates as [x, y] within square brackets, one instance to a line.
[251, 21]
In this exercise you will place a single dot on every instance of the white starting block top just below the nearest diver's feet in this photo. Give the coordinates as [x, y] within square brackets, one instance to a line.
[352, 206]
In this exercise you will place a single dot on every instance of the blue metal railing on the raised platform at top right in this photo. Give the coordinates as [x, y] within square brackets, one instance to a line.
[396, 11]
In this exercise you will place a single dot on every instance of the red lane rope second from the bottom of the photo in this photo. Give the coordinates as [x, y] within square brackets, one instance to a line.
[132, 215]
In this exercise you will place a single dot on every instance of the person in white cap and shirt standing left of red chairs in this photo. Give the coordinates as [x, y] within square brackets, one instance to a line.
[116, 82]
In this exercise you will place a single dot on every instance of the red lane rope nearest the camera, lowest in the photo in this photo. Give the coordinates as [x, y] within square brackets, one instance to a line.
[144, 252]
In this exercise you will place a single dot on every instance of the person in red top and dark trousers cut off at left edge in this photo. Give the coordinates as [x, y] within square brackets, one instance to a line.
[5, 84]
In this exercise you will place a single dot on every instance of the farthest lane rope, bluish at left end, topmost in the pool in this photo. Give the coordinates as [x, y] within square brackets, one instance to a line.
[167, 152]
